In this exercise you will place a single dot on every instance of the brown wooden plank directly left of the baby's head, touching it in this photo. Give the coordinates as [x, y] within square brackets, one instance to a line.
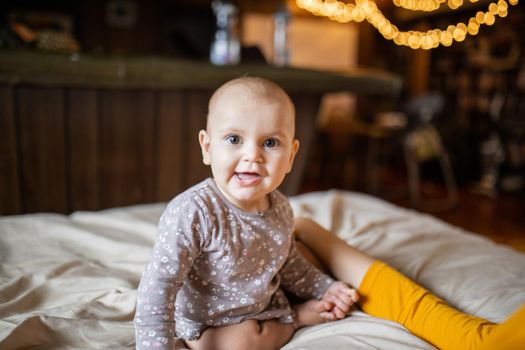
[196, 111]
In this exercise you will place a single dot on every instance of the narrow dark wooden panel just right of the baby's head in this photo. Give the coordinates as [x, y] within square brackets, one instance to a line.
[306, 108]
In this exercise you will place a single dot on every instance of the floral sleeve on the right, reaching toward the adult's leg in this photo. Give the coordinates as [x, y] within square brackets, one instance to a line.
[303, 279]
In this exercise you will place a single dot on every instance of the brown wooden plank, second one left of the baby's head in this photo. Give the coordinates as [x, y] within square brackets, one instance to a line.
[171, 146]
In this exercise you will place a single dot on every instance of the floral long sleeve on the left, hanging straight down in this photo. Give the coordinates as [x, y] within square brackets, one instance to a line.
[176, 246]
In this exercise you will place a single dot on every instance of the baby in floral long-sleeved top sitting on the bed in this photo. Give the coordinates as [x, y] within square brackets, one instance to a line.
[224, 251]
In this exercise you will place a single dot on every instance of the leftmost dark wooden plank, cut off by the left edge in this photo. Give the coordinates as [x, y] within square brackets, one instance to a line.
[10, 201]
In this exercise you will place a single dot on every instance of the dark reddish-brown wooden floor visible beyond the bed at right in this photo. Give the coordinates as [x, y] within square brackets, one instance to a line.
[501, 217]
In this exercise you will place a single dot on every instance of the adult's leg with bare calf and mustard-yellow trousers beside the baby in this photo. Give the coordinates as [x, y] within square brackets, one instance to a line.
[388, 294]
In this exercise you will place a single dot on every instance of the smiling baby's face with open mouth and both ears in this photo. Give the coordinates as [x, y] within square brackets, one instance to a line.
[250, 145]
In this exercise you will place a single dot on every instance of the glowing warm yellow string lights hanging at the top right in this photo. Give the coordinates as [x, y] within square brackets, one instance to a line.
[367, 9]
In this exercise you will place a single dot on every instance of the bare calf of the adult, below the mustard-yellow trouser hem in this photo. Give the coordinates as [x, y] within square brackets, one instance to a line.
[346, 263]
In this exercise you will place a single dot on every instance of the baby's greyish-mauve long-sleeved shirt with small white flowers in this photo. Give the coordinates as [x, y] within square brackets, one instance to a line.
[214, 264]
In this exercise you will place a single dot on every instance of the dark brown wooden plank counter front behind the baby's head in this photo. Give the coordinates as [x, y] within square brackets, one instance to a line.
[64, 149]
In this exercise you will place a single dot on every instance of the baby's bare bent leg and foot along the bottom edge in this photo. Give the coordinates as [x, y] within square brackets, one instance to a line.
[260, 335]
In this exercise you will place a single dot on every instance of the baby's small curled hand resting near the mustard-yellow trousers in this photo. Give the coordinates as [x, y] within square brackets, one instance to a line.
[342, 297]
